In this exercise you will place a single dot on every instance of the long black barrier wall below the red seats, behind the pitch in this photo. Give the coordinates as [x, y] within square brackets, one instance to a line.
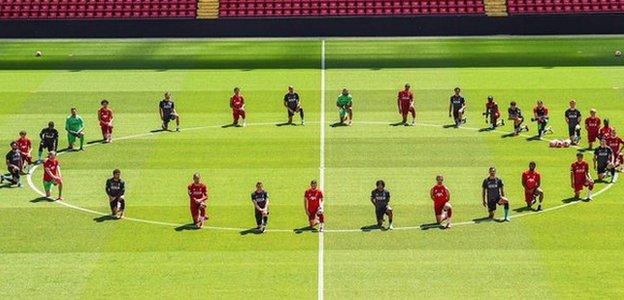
[316, 27]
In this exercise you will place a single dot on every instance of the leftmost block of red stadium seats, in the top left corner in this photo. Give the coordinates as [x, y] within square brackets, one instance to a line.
[97, 9]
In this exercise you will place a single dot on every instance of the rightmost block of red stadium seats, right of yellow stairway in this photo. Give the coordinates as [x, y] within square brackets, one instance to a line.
[520, 7]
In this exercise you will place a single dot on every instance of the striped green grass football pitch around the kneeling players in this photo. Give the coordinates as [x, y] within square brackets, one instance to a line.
[573, 249]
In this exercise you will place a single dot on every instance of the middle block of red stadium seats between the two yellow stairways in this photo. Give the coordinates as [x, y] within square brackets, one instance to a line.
[336, 8]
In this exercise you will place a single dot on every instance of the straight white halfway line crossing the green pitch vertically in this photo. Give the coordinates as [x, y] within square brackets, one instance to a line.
[321, 254]
